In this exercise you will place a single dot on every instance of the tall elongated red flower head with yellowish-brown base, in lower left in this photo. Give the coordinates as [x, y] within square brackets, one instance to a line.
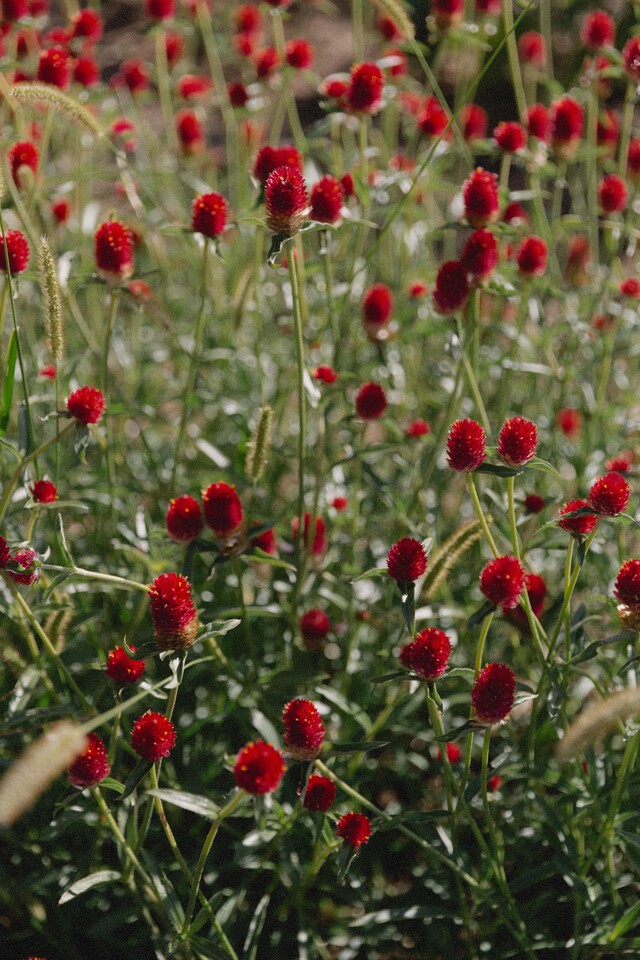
[175, 621]
